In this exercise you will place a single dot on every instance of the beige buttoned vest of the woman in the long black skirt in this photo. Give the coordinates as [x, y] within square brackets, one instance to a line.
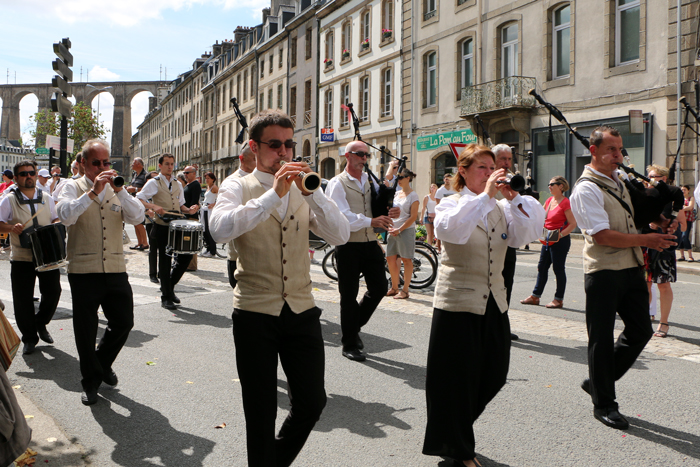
[469, 273]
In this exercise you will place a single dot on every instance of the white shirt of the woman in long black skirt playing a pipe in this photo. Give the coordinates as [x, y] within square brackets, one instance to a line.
[455, 220]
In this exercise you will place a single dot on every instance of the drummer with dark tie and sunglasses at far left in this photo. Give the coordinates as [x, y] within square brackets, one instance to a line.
[16, 211]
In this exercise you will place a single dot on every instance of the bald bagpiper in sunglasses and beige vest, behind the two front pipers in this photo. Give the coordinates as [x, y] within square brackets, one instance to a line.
[362, 254]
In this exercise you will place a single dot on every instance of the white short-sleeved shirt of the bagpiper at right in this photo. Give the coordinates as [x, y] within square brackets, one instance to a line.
[588, 206]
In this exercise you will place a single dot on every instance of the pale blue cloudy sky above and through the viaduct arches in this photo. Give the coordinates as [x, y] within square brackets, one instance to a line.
[124, 40]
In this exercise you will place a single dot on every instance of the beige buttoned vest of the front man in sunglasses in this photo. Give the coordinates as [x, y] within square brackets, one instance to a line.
[273, 262]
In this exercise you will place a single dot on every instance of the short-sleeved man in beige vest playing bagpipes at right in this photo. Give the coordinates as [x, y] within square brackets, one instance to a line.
[614, 274]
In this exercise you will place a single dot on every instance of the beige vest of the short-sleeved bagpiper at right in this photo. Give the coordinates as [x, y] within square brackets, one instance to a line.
[598, 257]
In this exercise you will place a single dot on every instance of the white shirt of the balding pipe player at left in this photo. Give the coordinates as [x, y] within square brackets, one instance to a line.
[71, 206]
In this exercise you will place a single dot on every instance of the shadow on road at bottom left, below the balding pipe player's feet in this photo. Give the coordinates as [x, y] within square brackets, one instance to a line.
[145, 437]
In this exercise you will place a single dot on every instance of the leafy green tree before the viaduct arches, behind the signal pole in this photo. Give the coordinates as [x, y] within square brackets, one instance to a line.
[82, 126]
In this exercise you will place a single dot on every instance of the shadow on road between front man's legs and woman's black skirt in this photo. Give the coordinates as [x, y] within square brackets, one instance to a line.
[366, 419]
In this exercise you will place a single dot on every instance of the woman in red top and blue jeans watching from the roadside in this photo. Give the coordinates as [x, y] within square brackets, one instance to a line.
[559, 217]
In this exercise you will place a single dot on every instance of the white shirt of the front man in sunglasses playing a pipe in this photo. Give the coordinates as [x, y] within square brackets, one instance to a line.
[231, 218]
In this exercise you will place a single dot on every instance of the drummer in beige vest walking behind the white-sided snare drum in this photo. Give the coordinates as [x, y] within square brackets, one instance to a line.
[166, 195]
